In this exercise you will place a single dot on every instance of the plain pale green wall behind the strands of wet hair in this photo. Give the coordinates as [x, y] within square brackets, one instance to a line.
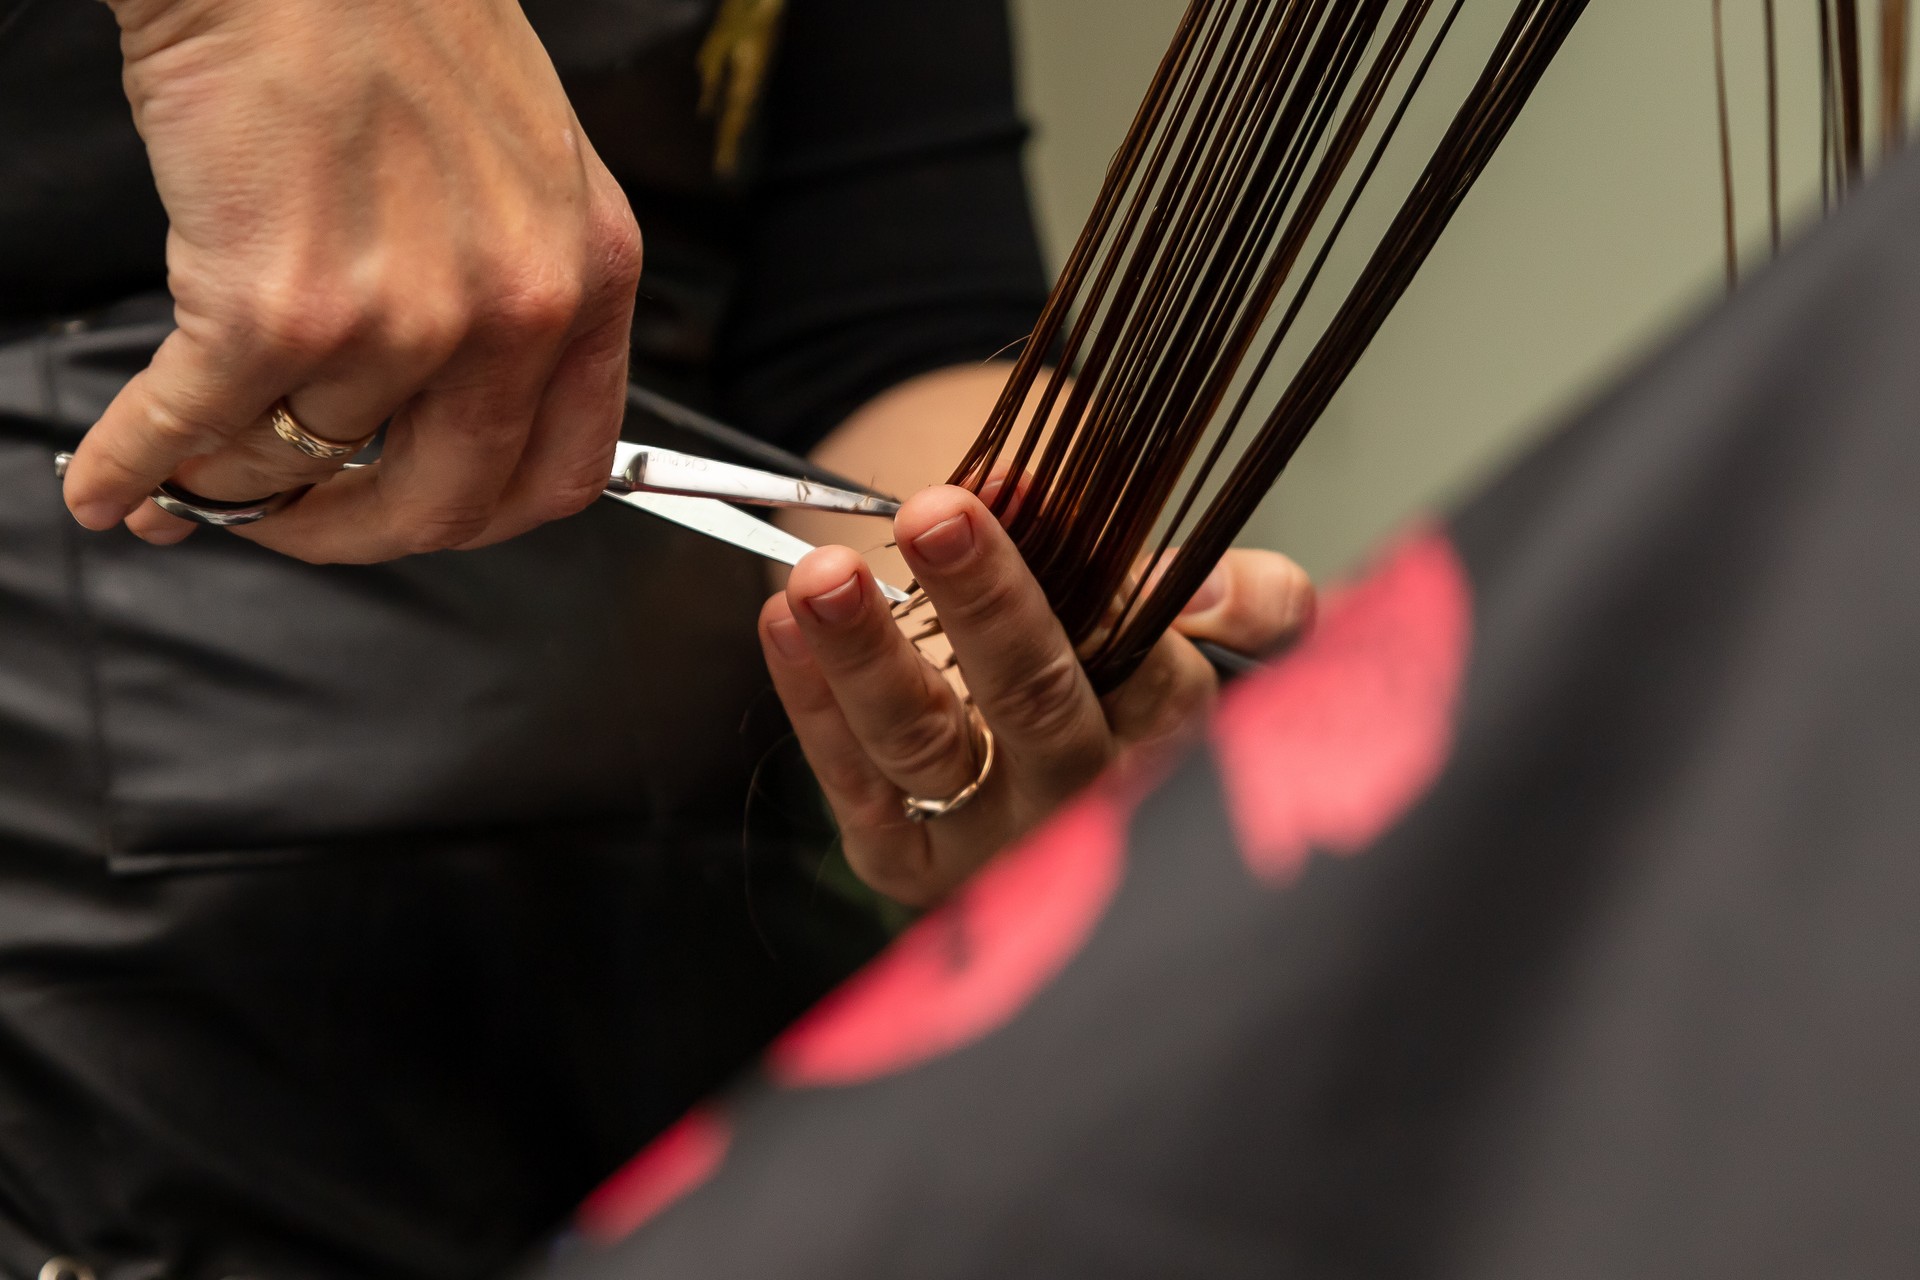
[1593, 237]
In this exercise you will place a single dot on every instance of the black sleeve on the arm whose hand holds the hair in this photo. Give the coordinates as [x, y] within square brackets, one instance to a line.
[888, 231]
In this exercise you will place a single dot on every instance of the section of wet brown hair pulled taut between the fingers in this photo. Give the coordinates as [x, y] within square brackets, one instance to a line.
[1178, 327]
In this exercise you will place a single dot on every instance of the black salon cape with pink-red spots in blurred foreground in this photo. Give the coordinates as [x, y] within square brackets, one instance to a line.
[1552, 913]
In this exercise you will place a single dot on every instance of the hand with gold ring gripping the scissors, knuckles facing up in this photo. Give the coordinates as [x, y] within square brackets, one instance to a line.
[377, 208]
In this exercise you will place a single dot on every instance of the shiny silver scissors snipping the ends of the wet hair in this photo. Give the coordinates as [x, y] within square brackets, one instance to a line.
[683, 488]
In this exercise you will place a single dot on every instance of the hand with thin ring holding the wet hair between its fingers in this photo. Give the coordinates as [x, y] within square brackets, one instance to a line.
[876, 721]
